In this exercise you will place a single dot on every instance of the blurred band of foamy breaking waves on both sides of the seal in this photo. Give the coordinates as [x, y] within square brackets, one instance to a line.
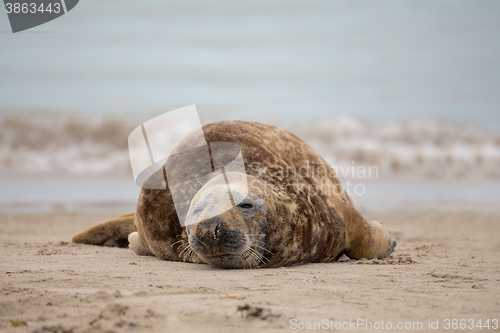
[419, 147]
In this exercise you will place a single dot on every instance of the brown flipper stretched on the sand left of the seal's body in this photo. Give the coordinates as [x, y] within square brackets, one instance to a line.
[111, 233]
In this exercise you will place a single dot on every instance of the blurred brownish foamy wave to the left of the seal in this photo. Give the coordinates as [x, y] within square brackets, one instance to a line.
[62, 145]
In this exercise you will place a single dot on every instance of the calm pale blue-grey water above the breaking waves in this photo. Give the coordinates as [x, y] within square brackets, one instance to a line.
[260, 60]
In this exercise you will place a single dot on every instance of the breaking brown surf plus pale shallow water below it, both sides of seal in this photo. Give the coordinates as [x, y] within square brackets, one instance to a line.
[67, 164]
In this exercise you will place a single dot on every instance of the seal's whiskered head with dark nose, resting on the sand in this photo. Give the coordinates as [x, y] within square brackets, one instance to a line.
[237, 237]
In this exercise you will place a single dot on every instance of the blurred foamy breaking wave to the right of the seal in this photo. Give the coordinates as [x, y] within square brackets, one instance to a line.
[417, 147]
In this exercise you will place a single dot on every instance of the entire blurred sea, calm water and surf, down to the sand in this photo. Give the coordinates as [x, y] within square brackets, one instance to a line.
[412, 87]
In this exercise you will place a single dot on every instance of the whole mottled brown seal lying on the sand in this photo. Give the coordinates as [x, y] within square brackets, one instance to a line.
[295, 211]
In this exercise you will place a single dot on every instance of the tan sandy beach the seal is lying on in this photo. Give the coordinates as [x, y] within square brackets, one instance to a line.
[446, 266]
